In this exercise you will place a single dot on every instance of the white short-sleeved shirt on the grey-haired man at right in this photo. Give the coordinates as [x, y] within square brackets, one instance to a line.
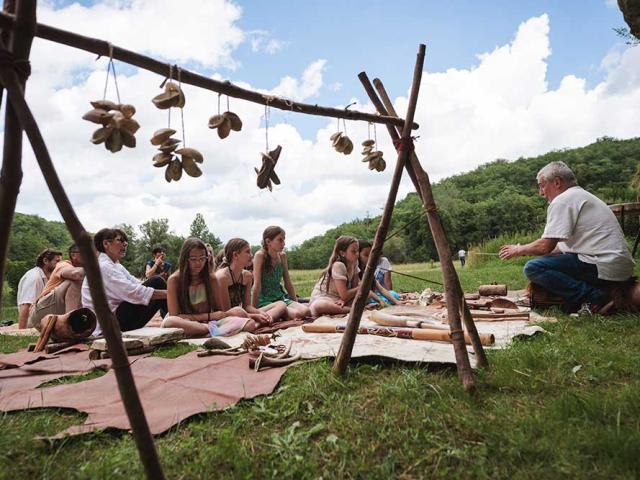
[585, 225]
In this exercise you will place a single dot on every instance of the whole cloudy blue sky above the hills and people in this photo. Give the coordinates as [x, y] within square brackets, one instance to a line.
[501, 79]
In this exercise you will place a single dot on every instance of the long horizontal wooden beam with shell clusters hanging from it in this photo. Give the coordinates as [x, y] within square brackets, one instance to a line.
[102, 47]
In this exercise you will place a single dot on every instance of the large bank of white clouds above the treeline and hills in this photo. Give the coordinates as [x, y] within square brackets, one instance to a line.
[500, 108]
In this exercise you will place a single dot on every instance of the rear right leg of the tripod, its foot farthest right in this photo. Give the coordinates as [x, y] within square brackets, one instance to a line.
[414, 164]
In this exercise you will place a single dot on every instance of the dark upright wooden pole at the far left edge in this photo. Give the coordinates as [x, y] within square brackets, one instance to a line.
[19, 42]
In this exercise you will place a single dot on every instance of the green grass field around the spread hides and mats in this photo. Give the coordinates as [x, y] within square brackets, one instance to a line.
[562, 405]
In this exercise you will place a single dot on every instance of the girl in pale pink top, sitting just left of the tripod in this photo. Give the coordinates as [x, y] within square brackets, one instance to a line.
[337, 287]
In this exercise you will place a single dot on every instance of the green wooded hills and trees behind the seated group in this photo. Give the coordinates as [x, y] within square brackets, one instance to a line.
[498, 198]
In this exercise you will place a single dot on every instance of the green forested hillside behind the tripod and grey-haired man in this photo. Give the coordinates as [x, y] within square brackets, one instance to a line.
[497, 198]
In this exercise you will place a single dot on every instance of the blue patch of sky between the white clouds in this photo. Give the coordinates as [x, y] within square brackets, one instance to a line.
[381, 38]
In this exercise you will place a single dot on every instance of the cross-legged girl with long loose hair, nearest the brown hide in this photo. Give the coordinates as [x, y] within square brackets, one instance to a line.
[192, 298]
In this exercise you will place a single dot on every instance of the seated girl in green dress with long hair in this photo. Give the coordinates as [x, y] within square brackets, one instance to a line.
[270, 268]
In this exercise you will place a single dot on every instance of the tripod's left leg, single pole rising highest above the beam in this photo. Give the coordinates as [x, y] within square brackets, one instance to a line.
[349, 337]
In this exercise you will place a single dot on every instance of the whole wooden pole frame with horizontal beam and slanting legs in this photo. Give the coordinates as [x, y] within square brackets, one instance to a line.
[19, 26]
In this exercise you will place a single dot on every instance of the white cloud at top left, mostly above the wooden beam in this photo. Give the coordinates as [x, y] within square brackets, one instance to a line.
[161, 28]
